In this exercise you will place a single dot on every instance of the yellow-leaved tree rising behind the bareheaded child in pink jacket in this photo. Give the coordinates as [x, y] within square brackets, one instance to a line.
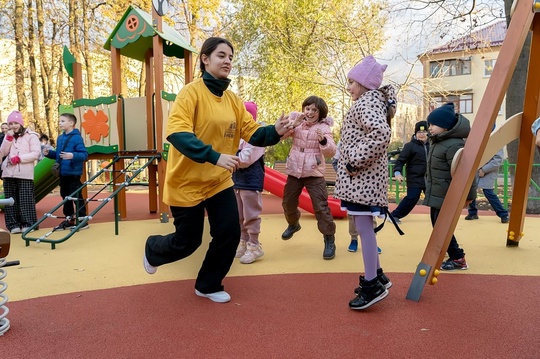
[287, 50]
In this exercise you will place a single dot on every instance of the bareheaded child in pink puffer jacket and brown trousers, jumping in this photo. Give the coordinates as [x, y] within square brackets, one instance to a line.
[312, 143]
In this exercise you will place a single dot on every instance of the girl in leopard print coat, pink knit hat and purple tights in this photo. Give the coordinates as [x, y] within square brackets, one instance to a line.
[362, 173]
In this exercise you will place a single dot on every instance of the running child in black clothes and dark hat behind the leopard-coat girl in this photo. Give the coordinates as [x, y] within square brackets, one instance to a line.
[413, 155]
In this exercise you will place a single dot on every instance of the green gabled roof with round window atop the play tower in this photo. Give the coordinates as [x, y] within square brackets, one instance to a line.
[133, 36]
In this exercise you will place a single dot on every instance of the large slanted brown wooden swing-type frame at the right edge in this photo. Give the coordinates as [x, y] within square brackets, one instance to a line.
[525, 18]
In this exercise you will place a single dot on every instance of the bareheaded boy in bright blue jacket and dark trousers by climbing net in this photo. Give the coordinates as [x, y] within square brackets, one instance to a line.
[71, 154]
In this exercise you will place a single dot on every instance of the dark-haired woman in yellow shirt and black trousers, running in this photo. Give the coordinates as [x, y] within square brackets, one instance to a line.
[204, 128]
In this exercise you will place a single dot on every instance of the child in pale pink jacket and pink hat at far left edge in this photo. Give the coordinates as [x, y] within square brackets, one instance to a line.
[21, 149]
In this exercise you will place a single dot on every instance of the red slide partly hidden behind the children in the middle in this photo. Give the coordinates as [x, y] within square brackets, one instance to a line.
[274, 182]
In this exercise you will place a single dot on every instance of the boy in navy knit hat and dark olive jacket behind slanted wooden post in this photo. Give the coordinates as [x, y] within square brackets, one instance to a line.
[447, 133]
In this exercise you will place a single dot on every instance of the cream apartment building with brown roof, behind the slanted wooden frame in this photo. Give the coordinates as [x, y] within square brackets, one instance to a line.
[459, 71]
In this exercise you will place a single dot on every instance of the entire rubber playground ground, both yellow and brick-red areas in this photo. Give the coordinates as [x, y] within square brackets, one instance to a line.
[90, 297]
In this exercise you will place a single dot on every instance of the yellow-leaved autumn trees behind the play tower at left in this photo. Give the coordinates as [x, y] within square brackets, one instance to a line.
[40, 29]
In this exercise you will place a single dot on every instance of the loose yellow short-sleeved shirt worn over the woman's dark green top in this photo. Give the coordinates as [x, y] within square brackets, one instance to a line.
[217, 121]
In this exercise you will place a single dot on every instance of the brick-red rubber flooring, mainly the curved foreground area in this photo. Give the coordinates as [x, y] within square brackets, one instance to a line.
[280, 316]
